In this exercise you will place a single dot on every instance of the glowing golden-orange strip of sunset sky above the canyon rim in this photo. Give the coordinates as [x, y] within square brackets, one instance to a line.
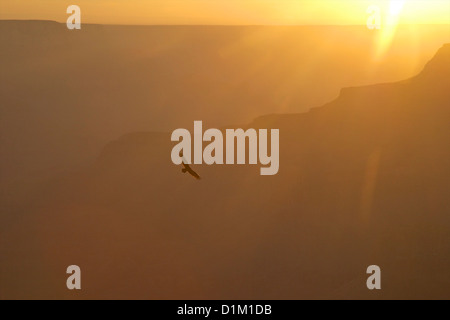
[224, 11]
